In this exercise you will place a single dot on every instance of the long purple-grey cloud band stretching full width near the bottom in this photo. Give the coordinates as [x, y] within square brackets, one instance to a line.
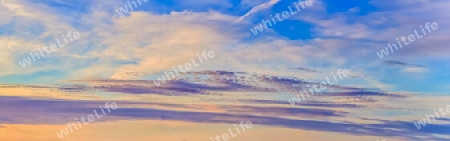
[64, 111]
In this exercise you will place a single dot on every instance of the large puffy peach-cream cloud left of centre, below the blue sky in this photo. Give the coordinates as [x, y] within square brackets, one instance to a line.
[170, 40]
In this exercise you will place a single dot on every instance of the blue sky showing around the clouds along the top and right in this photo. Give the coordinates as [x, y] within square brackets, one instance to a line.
[356, 14]
